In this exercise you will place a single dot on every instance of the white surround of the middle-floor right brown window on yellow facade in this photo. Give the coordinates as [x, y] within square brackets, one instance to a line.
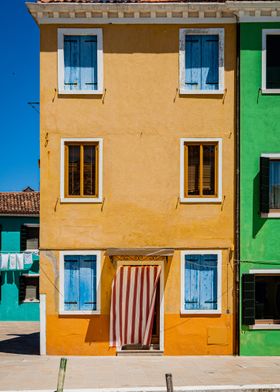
[198, 200]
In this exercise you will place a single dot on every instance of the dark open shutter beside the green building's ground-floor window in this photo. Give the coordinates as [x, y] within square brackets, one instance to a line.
[248, 299]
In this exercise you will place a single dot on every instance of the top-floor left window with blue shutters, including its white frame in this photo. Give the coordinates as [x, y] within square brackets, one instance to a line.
[80, 61]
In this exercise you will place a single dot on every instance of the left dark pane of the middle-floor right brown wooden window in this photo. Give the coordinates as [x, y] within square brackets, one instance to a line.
[193, 169]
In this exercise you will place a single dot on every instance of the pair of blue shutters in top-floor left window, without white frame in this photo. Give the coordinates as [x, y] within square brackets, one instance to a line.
[80, 62]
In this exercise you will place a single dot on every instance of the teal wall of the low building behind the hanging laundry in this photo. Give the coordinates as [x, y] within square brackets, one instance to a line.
[10, 307]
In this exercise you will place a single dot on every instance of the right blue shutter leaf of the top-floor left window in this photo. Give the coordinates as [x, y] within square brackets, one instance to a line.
[89, 62]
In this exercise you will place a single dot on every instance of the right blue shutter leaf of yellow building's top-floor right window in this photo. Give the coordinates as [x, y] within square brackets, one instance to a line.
[210, 62]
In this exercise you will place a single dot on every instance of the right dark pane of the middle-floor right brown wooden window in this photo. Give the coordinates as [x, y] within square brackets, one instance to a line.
[209, 170]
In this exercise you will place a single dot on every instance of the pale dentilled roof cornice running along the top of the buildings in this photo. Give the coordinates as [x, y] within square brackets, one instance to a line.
[154, 13]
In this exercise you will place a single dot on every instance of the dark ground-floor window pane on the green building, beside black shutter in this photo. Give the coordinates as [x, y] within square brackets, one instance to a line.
[267, 304]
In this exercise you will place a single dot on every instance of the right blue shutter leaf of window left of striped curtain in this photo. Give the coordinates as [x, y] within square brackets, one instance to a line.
[87, 285]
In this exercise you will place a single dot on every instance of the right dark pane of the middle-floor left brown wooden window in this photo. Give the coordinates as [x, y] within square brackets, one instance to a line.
[89, 170]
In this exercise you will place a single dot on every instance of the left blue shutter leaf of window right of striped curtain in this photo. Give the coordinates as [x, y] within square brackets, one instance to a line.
[192, 268]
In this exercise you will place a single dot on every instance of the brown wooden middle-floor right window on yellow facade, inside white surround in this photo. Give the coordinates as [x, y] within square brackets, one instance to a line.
[201, 160]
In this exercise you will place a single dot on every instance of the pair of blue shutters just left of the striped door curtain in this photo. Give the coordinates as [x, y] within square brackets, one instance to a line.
[80, 282]
